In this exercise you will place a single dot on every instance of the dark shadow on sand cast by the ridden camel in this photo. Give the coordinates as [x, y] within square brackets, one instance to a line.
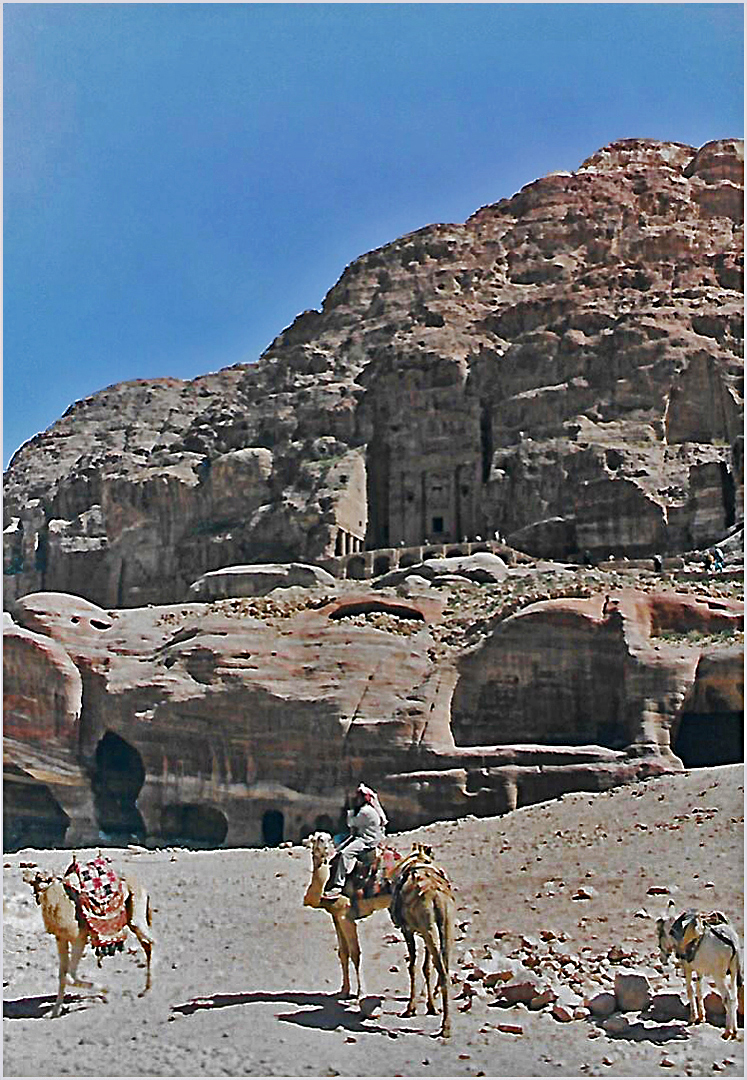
[323, 1011]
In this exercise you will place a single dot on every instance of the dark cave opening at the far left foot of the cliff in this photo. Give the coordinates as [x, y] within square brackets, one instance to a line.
[32, 817]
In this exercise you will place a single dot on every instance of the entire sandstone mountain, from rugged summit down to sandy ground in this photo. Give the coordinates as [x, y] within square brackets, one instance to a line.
[192, 653]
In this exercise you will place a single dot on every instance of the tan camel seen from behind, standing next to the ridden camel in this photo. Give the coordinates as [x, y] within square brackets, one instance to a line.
[424, 904]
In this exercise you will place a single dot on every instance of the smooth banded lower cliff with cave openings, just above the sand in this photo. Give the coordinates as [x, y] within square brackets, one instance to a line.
[248, 721]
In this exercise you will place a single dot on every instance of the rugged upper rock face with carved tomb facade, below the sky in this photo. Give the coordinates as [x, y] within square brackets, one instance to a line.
[565, 369]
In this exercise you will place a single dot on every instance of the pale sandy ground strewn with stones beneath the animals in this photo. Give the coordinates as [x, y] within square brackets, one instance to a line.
[246, 977]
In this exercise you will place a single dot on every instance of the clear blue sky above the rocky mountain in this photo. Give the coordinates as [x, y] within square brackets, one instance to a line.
[182, 181]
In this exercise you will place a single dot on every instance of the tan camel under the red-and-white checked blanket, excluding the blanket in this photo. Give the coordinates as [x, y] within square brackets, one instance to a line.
[62, 921]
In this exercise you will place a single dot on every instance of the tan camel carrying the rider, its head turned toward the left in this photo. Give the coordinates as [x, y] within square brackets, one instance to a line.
[344, 912]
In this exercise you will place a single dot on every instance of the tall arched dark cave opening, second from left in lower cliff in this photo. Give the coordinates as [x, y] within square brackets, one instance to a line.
[116, 784]
